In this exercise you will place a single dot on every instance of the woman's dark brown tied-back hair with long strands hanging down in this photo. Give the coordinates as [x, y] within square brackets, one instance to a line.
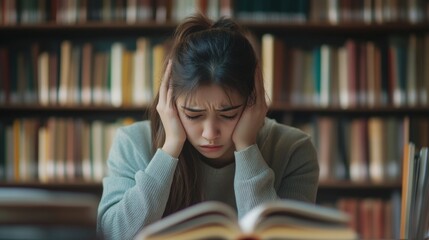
[203, 53]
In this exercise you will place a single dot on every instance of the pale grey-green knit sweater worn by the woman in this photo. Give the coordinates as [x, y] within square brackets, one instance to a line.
[283, 164]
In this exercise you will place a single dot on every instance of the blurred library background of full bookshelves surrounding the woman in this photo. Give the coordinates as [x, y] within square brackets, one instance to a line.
[353, 75]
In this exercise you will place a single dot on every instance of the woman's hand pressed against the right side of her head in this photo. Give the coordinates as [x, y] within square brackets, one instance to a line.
[252, 117]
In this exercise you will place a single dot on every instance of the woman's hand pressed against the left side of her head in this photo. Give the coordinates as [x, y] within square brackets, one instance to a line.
[175, 135]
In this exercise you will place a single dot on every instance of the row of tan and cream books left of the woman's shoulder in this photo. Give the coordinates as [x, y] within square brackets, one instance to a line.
[56, 150]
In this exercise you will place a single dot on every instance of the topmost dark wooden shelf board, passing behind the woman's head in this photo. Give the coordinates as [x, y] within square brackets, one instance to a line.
[102, 29]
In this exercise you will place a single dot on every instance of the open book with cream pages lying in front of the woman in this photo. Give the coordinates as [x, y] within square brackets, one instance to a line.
[282, 219]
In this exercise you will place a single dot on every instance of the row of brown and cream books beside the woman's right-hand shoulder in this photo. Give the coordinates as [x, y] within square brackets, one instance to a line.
[362, 149]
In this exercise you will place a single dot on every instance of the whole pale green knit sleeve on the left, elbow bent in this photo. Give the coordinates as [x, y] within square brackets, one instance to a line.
[136, 189]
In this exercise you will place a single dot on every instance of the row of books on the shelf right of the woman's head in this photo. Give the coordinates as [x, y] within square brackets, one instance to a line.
[350, 74]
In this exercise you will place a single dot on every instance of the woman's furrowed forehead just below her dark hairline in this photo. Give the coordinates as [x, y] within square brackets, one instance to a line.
[211, 96]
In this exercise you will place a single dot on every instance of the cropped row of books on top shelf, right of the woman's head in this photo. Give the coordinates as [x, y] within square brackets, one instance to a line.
[332, 11]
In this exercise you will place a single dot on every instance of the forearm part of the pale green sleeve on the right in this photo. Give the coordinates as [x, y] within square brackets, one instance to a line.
[253, 183]
